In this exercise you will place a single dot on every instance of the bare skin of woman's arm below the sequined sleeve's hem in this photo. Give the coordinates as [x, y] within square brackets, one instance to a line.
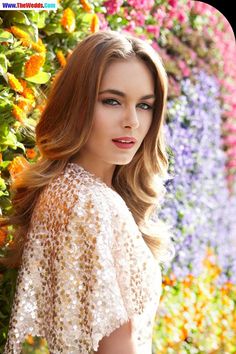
[119, 342]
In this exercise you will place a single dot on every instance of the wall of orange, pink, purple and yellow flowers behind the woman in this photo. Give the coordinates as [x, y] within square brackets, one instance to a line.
[197, 312]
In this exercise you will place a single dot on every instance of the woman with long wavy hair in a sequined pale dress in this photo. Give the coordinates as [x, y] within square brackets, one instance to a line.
[89, 276]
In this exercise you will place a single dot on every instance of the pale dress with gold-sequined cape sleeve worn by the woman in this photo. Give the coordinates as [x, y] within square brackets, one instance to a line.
[86, 270]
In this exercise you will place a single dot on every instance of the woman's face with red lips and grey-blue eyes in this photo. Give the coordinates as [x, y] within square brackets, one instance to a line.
[122, 115]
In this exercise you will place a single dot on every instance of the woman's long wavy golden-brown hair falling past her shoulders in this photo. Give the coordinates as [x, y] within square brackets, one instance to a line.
[64, 128]
